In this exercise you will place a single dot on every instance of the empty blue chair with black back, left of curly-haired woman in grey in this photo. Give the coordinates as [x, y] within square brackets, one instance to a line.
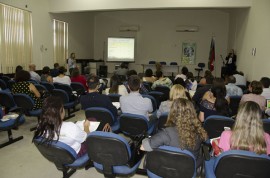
[112, 155]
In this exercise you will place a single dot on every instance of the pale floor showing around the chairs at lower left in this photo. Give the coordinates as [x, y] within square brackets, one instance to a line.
[22, 159]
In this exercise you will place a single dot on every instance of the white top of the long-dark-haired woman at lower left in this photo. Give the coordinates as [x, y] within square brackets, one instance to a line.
[72, 135]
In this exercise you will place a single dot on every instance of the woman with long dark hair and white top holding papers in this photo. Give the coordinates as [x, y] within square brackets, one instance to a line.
[51, 126]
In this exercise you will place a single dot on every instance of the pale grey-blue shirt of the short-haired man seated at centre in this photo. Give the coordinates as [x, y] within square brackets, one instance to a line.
[134, 103]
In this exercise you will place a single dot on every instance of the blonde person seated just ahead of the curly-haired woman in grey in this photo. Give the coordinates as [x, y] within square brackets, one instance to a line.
[177, 91]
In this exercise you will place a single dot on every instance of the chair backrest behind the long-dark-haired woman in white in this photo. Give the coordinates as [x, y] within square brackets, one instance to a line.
[57, 152]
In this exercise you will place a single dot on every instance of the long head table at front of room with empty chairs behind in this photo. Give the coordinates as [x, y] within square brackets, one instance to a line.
[168, 70]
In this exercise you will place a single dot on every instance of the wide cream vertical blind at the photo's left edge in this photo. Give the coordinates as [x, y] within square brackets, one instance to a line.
[16, 38]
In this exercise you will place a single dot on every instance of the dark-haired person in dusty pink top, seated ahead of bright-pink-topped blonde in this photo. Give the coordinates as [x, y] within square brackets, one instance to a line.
[255, 89]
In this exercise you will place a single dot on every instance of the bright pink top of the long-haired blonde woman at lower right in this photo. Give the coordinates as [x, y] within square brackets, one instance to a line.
[224, 142]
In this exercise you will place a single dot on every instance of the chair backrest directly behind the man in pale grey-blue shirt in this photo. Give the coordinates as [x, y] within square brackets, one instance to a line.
[133, 124]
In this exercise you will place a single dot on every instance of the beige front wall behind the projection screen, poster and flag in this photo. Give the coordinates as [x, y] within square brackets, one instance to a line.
[157, 38]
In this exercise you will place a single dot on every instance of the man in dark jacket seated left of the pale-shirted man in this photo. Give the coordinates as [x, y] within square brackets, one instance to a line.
[94, 99]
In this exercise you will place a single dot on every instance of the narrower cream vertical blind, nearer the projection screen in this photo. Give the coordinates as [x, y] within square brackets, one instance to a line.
[60, 41]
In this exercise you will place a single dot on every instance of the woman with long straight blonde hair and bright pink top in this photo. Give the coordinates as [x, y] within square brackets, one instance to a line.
[247, 133]
